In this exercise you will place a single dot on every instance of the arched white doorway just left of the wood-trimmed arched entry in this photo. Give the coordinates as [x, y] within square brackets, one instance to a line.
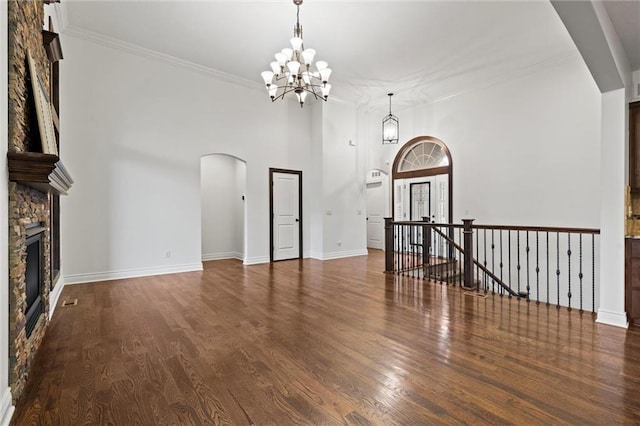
[377, 207]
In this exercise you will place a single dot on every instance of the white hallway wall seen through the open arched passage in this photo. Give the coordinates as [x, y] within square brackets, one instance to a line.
[222, 185]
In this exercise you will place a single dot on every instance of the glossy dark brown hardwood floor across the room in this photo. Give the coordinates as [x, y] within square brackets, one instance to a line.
[315, 343]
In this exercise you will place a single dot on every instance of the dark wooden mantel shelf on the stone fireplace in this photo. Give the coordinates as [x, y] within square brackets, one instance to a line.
[40, 171]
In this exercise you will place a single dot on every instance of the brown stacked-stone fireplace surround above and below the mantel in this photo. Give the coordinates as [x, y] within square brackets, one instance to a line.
[27, 206]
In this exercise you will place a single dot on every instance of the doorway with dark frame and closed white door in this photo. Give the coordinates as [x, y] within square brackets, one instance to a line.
[285, 212]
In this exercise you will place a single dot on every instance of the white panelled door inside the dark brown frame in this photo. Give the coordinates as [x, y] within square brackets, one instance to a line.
[286, 216]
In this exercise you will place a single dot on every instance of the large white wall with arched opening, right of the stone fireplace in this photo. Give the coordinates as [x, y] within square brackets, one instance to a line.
[135, 129]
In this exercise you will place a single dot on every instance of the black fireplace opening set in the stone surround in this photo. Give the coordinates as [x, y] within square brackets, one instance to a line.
[34, 276]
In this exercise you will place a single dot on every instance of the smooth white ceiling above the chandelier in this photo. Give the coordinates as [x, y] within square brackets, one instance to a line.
[424, 51]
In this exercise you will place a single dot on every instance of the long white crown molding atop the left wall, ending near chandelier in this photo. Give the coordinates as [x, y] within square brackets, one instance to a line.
[134, 49]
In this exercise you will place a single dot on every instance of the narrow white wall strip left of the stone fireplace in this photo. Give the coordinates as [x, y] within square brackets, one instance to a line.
[6, 408]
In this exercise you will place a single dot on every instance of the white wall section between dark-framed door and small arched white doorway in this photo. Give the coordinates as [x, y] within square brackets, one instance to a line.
[344, 189]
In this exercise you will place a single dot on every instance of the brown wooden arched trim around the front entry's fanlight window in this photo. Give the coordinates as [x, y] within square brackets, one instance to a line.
[432, 171]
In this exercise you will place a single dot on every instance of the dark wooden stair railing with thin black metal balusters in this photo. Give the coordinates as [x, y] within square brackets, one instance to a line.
[549, 265]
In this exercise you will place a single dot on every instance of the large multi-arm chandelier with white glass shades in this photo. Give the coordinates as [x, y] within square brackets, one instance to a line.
[293, 70]
